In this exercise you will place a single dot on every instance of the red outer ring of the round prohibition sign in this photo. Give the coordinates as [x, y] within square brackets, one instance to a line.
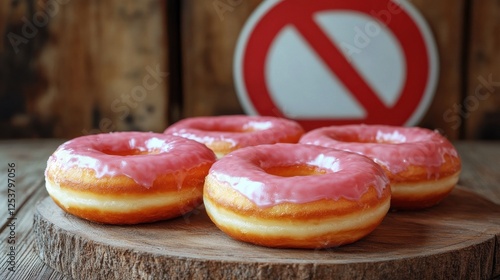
[297, 12]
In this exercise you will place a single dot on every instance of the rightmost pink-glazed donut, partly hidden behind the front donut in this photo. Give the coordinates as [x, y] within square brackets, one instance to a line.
[422, 165]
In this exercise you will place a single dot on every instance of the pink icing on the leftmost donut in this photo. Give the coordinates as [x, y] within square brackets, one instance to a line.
[99, 152]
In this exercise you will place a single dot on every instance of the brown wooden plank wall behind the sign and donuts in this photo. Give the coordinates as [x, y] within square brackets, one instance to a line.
[97, 66]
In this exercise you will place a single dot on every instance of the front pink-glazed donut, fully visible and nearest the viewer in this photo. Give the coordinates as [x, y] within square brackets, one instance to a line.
[296, 196]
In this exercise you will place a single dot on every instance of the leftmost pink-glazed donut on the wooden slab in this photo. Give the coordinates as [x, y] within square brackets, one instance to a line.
[128, 177]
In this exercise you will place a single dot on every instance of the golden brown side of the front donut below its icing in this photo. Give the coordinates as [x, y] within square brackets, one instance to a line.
[319, 224]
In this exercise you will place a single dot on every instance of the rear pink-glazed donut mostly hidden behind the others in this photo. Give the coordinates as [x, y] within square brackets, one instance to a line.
[224, 134]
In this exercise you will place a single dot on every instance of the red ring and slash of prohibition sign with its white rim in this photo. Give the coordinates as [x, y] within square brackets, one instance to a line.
[407, 26]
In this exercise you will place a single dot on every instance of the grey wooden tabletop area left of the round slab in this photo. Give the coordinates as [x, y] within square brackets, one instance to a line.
[30, 188]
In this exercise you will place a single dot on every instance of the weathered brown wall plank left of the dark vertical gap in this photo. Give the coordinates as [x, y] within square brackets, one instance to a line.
[93, 66]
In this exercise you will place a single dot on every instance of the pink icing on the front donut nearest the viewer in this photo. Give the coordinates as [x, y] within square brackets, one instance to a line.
[347, 175]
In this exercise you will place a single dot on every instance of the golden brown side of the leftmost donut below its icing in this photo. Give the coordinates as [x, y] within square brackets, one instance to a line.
[120, 200]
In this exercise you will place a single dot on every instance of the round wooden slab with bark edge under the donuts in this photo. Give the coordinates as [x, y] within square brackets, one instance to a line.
[458, 239]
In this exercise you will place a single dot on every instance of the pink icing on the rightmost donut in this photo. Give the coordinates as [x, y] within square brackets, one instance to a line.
[395, 148]
